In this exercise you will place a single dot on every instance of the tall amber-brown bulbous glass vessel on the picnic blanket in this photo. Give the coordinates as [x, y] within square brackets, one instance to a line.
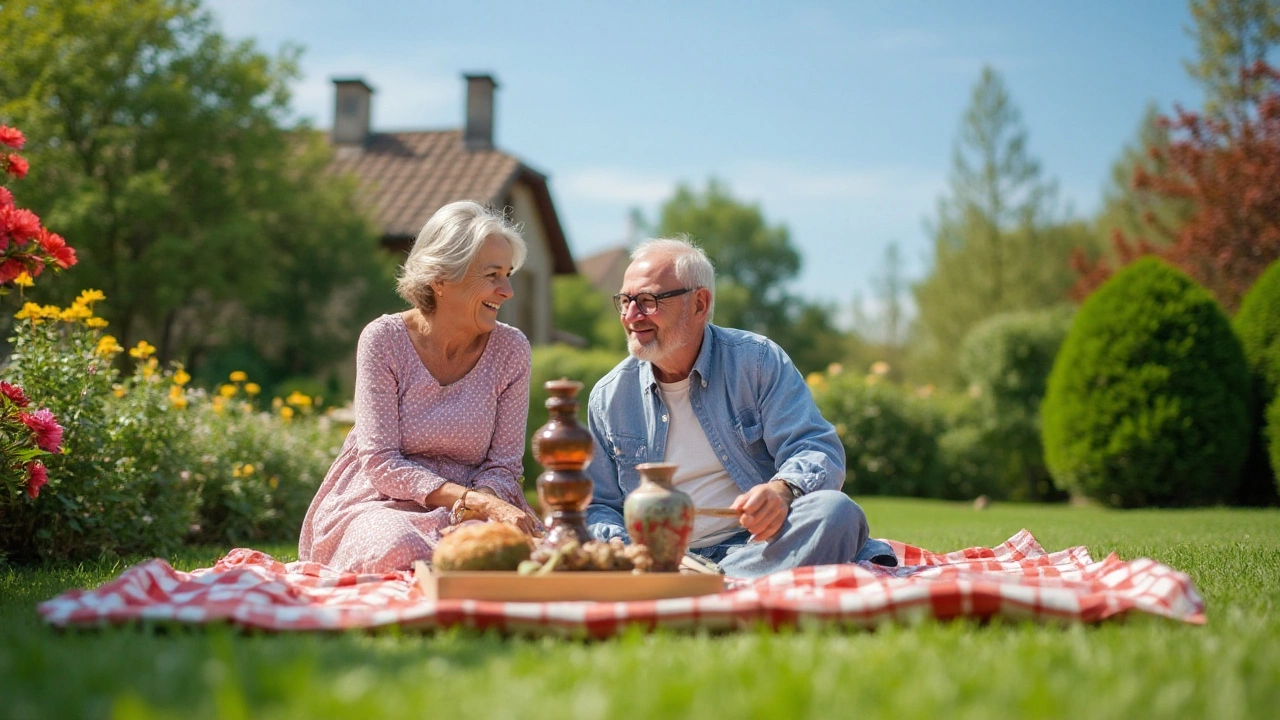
[564, 446]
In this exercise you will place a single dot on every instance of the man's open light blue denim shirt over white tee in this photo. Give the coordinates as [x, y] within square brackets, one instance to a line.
[752, 403]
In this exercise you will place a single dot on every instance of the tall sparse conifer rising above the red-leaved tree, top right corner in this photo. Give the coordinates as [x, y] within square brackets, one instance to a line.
[1232, 37]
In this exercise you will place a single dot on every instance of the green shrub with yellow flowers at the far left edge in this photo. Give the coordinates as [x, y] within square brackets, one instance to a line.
[116, 489]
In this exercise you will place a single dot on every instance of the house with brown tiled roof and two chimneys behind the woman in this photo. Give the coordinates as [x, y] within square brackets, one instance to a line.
[408, 176]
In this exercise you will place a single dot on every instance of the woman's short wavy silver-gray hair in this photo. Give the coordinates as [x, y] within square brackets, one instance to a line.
[447, 245]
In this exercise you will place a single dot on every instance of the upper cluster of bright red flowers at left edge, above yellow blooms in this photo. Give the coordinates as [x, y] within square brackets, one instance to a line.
[26, 248]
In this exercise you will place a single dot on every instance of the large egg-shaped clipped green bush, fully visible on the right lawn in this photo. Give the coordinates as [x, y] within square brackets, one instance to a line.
[1149, 400]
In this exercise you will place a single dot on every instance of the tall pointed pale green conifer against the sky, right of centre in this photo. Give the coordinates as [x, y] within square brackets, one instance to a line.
[998, 244]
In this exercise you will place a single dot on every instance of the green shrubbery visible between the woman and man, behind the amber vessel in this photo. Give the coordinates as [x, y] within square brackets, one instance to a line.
[552, 363]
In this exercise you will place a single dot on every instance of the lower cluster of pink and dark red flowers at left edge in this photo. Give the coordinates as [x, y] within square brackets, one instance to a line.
[25, 440]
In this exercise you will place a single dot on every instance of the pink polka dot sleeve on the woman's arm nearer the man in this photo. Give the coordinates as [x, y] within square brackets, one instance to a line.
[505, 459]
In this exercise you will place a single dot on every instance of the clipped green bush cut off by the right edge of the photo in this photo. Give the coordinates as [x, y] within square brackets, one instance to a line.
[1259, 329]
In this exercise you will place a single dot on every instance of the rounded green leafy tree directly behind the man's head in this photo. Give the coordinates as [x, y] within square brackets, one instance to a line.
[753, 263]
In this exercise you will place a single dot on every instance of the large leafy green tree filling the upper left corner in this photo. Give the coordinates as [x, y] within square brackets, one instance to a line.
[205, 220]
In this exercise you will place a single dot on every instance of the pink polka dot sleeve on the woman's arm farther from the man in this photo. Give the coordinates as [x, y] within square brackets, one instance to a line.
[378, 418]
